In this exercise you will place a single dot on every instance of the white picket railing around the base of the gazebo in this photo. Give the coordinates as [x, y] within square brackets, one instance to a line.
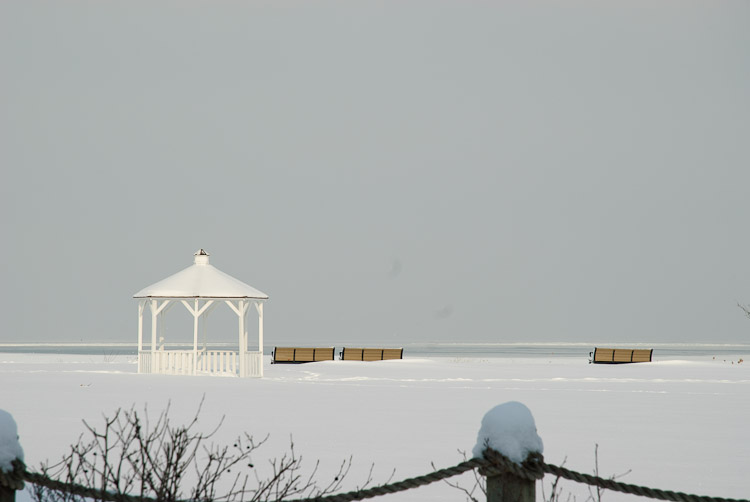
[211, 362]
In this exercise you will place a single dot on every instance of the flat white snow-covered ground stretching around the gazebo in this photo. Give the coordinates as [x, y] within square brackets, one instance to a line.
[679, 424]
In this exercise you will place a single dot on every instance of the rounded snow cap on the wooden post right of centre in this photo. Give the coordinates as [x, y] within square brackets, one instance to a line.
[509, 428]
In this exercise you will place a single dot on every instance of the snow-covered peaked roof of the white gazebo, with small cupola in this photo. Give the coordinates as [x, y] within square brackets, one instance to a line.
[200, 280]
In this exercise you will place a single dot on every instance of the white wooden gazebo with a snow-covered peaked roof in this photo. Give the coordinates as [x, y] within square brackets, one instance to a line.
[200, 287]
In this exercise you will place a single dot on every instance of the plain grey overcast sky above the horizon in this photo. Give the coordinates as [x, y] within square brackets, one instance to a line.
[387, 172]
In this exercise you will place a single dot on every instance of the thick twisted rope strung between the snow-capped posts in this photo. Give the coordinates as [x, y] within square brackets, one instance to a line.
[493, 464]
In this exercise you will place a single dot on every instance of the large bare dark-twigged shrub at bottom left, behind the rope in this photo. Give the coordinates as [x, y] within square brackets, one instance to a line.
[131, 455]
